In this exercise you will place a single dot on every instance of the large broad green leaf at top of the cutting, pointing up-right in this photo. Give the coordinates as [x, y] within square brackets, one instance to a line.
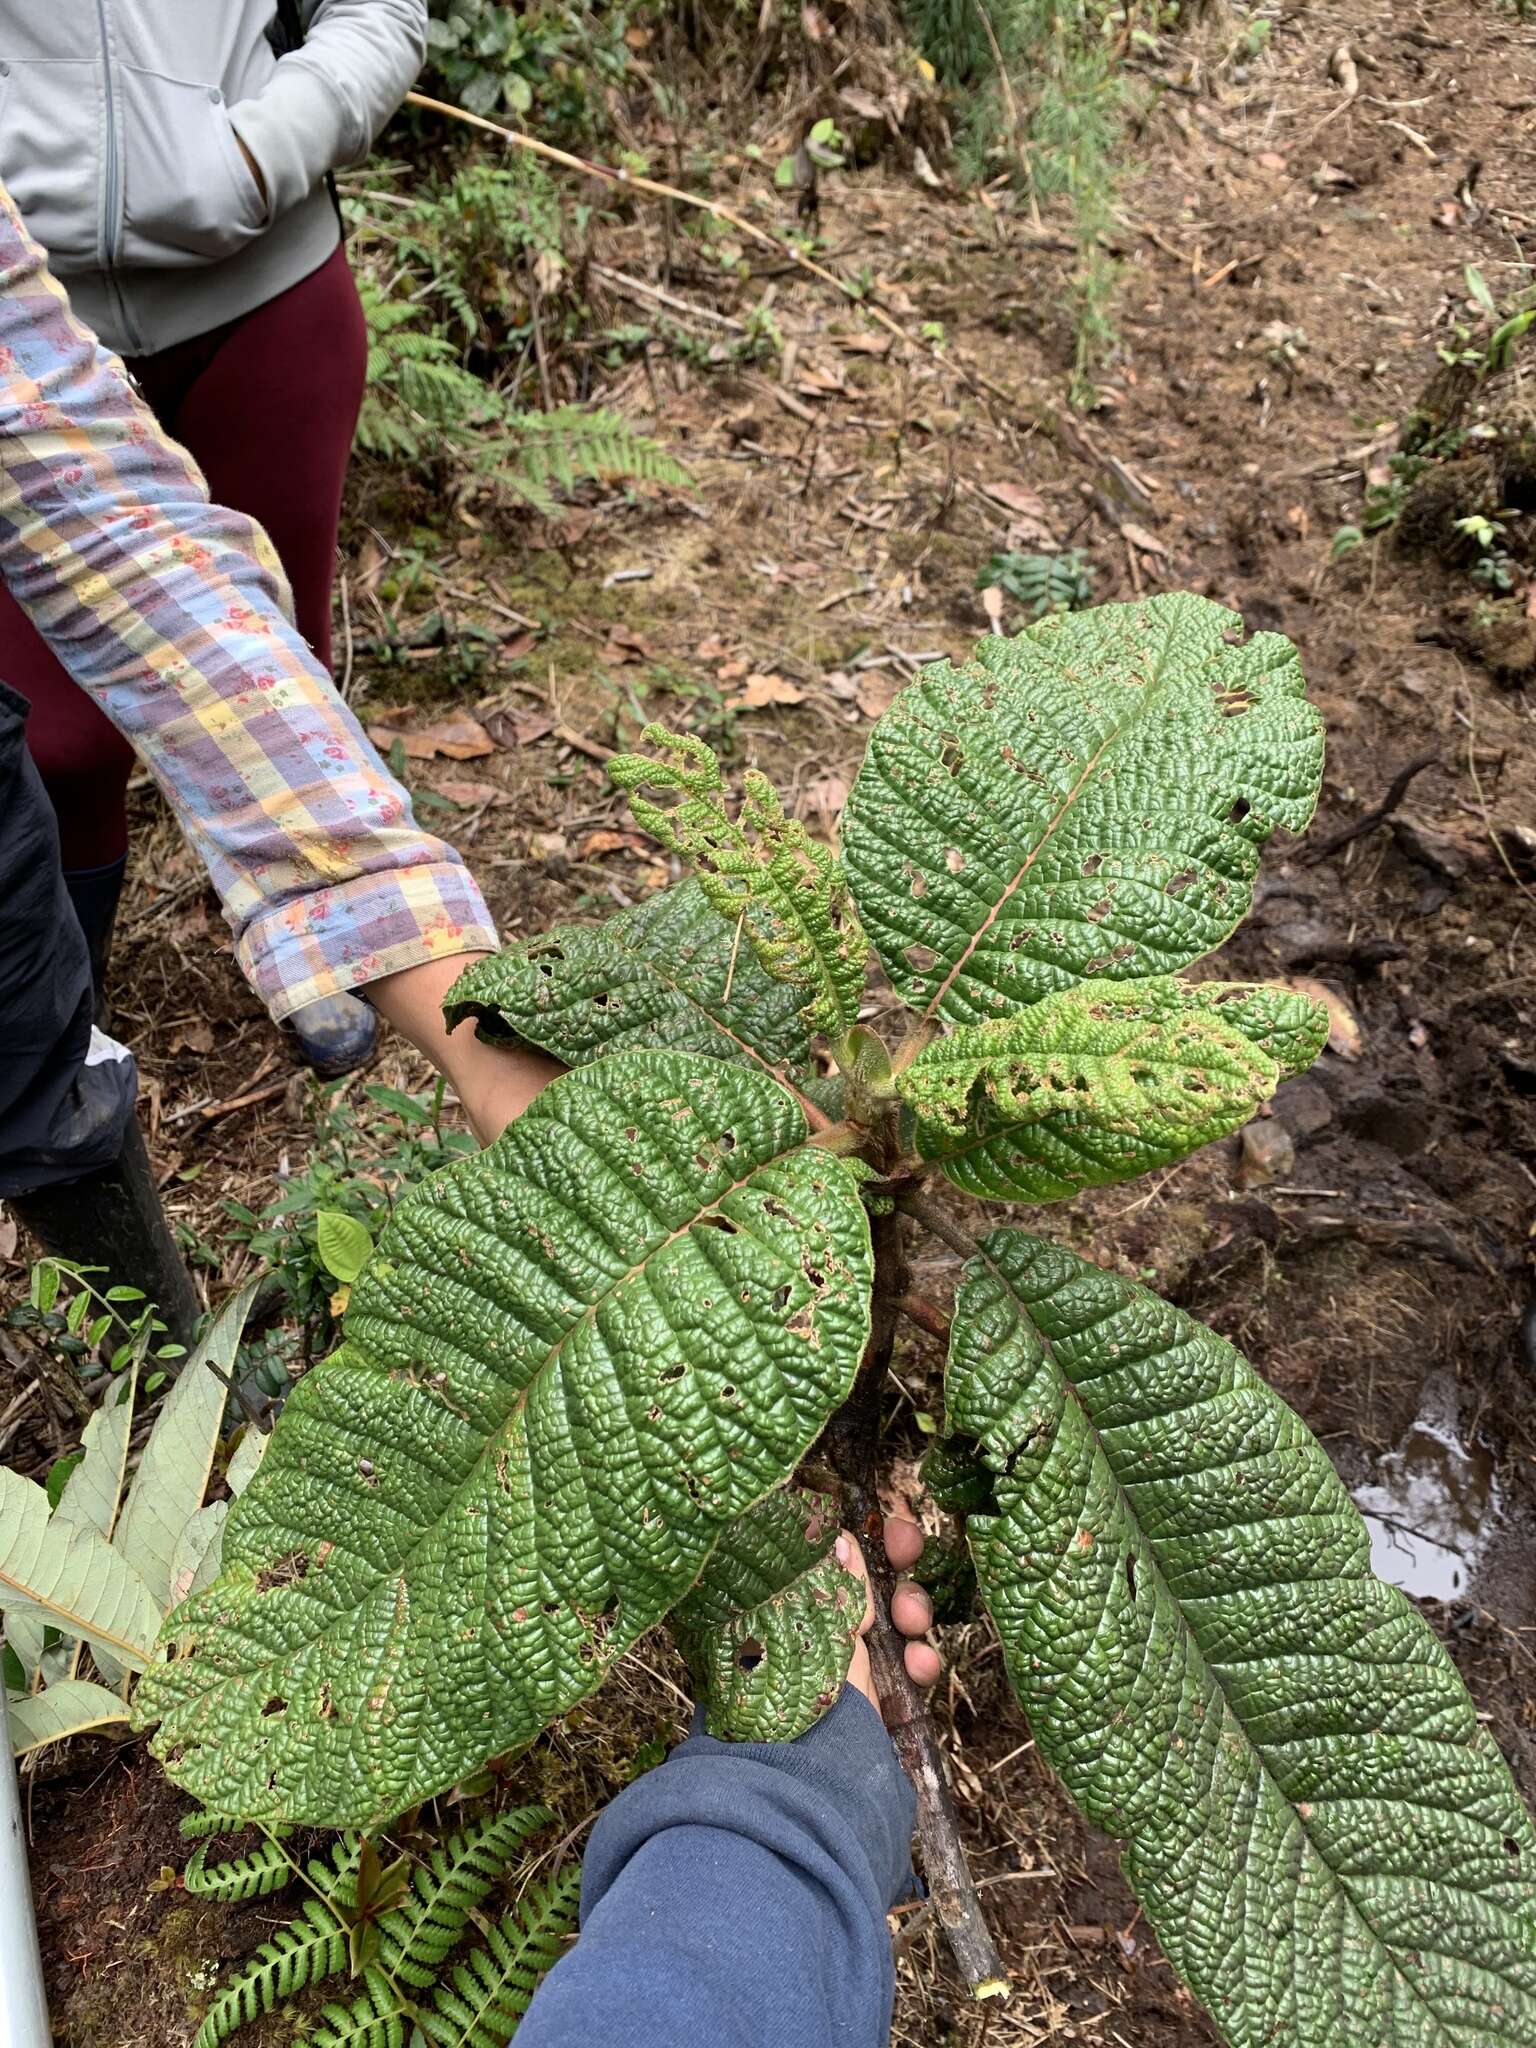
[1082, 802]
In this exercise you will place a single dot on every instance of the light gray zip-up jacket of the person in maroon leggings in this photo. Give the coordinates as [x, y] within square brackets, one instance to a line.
[120, 142]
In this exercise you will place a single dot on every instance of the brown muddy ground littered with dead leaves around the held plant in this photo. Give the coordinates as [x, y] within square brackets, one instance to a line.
[1291, 265]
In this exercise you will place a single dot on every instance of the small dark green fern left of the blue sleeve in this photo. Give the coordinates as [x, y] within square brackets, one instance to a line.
[400, 1934]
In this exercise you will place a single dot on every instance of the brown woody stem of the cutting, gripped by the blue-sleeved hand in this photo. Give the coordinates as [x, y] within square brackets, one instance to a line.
[853, 1445]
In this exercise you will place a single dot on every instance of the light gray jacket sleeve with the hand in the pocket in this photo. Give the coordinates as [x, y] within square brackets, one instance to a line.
[325, 105]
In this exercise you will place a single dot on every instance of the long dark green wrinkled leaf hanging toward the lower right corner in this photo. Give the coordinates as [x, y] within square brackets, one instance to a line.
[1324, 1838]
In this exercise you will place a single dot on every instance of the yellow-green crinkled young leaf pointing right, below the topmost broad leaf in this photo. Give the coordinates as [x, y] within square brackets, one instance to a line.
[1103, 1082]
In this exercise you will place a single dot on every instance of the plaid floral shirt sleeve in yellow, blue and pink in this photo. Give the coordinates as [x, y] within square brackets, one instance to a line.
[173, 615]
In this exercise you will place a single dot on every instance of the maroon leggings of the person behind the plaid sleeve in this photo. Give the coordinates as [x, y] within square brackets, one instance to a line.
[267, 404]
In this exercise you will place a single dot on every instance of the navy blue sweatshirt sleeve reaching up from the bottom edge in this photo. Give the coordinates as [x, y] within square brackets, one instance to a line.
[736, 1897]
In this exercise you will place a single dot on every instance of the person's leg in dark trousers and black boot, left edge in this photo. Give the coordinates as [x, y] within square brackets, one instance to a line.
[73, 1162]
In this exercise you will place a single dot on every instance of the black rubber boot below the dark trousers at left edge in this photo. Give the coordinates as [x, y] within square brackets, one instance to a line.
[116, 1220]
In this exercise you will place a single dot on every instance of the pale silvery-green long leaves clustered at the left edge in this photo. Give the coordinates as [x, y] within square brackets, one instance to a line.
[95, 1564]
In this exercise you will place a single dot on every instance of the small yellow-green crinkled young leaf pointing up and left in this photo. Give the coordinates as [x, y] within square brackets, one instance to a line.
[763, 871]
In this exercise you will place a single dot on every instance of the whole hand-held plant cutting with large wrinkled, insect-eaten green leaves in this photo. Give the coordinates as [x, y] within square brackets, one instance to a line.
[628, 1363]
